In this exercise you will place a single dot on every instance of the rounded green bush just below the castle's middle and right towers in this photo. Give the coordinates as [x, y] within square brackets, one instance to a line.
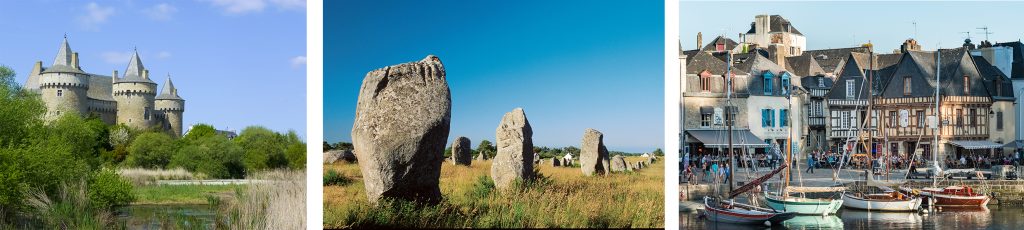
[151, 151]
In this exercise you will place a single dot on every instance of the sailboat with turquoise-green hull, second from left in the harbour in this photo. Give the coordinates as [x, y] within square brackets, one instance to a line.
[802, 206]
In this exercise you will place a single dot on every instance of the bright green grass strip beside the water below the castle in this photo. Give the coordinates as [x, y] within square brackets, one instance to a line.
[183, 195]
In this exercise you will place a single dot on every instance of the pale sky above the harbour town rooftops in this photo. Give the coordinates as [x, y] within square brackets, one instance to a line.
[837, 25]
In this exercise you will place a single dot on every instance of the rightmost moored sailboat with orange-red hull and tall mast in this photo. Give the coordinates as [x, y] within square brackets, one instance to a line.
[953, 196]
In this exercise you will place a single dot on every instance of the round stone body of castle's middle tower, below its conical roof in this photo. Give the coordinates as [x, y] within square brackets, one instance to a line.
[136, 105]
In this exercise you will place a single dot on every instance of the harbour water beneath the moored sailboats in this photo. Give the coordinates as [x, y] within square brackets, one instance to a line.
[962, 219]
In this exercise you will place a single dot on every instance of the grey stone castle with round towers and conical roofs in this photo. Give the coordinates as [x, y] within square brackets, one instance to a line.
[131, 100]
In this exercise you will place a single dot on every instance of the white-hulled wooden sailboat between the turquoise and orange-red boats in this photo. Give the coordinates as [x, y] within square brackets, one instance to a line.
[889, 200]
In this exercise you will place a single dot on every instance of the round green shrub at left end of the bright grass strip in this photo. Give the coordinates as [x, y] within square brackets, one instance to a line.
[108, 190]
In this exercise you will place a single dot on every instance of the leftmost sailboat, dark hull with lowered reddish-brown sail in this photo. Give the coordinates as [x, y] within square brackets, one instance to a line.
[729, 210]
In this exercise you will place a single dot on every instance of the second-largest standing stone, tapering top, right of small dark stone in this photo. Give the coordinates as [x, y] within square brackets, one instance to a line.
[516, 151]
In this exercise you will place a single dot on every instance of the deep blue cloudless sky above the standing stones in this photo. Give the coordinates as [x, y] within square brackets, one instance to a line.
[571, 65]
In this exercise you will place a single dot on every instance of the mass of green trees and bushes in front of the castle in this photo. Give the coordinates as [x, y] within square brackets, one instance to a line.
[73, 171]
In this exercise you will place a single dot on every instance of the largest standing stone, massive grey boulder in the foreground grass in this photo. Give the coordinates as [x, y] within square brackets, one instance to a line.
[402, 125]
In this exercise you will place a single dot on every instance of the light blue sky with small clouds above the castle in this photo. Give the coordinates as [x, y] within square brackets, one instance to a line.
[237, 64]
